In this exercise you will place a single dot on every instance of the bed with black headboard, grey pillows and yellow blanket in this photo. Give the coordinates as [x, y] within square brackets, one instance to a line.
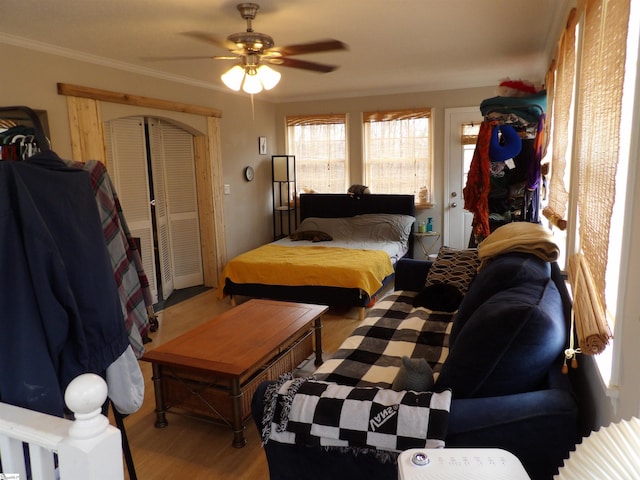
[291, 275]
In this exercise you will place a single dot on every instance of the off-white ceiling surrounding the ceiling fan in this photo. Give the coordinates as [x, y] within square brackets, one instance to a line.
[394, 45]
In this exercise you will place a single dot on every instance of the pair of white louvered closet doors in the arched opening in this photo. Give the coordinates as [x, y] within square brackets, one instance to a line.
[173, 189]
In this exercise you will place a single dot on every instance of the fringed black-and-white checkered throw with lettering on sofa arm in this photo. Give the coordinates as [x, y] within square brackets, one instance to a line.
[325, 414]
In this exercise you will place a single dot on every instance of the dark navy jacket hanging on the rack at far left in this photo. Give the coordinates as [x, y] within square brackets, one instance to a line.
[61, 313]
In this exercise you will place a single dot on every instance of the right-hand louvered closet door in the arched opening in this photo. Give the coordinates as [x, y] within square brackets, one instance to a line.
[175, 183]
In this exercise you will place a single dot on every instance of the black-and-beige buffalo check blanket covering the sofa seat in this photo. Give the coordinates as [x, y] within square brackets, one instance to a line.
[393, 328]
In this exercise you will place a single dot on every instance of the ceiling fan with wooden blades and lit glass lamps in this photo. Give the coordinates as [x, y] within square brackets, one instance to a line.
[253, 50]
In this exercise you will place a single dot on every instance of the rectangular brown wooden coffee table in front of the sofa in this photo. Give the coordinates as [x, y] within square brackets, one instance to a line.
[213, 370]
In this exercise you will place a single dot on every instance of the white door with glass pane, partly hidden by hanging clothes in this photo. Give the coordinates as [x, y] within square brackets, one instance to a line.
[457, 156]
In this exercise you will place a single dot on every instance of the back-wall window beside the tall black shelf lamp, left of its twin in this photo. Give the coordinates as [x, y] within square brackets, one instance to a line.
[320, 147]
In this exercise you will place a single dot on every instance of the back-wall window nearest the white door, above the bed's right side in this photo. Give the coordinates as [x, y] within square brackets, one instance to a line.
[398, 151]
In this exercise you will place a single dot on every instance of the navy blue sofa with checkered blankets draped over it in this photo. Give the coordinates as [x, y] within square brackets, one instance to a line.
[504, 367]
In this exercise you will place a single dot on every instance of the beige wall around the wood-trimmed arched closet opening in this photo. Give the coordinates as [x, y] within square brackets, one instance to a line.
[32, 82]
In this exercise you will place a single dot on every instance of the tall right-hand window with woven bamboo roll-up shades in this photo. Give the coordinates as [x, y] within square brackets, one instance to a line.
[588, 178]
